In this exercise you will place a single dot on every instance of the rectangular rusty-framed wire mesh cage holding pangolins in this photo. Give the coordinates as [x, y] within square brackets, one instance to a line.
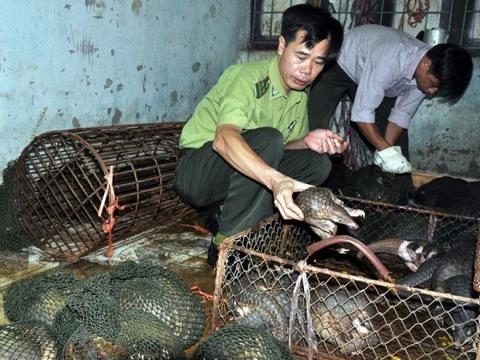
[330, 304]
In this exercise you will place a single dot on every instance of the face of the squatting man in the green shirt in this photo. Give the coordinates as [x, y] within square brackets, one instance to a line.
[298, 65]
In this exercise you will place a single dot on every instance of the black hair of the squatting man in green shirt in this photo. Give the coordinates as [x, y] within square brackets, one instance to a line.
[318, 24]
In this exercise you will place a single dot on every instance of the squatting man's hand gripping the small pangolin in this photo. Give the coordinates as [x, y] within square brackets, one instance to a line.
[283, 188]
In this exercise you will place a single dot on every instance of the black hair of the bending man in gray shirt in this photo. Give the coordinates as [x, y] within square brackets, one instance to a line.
[453, 67]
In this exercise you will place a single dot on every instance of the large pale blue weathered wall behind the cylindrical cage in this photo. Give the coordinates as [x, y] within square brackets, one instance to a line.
[72, 63]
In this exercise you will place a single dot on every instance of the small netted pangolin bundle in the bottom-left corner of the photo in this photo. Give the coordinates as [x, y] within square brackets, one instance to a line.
[27, 340]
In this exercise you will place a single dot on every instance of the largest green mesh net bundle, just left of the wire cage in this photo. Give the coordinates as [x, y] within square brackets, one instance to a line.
[137, 311]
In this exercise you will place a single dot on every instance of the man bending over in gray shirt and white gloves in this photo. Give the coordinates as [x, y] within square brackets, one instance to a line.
[387, 73]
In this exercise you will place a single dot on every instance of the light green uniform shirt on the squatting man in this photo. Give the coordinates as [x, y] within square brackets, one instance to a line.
[250, 96]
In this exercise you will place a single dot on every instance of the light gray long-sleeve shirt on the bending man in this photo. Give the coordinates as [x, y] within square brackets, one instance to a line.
[382, 61]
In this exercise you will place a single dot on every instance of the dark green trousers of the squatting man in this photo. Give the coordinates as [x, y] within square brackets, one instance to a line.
[204, 179]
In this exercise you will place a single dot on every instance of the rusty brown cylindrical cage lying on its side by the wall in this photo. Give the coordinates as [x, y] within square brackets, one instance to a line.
[61, 180]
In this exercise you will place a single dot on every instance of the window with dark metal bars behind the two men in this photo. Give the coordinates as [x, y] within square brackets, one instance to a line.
[460, 18]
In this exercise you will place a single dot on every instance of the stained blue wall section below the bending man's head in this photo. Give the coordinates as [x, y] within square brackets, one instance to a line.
[446, 139]
